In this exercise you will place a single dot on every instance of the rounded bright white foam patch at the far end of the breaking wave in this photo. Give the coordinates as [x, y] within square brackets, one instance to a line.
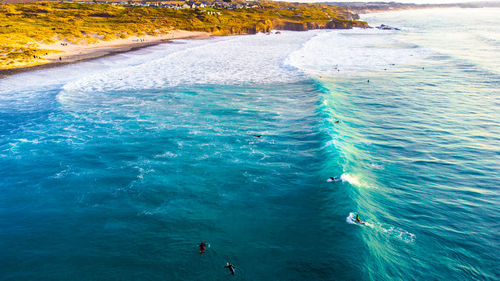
[352, 52]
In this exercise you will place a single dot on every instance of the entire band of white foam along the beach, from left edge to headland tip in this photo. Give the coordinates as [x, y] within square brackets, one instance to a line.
[252, 59]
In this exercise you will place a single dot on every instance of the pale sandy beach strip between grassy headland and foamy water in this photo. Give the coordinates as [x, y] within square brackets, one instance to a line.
[75, 53]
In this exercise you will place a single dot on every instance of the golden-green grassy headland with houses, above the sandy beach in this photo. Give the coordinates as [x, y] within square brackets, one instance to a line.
[23, 27]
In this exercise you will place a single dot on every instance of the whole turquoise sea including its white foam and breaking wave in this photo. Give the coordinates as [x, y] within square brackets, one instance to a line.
[116, 169]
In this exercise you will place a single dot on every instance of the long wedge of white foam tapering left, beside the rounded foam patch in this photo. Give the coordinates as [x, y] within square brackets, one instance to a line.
[231, 60]
